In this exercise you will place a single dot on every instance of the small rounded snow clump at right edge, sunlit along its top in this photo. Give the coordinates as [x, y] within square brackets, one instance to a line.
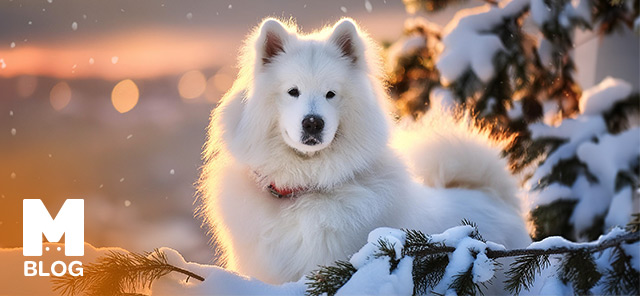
[602, 97]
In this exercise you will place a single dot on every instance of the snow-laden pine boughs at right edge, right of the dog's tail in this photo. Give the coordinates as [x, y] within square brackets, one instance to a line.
[588, 181]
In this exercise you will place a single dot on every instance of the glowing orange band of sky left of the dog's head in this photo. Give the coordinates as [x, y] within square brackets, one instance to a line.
[133, 54]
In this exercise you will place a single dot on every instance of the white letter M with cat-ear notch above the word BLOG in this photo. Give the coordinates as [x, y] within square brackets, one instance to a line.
[37, 221]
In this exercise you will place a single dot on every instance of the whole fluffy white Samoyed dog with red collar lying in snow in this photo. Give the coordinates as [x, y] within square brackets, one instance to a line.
[303, 161]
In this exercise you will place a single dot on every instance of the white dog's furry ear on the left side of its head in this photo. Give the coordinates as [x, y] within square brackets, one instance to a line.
[271, 41]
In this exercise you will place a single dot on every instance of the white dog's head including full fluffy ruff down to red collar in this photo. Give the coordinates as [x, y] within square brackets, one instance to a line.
[315, 96]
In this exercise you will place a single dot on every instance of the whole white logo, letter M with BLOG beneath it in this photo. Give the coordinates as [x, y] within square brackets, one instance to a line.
[68, 222]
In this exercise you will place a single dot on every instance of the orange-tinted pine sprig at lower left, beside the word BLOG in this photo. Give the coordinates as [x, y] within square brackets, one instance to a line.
[117, 273]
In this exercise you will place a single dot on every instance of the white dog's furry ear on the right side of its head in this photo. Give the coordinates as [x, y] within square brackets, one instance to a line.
[345, 35]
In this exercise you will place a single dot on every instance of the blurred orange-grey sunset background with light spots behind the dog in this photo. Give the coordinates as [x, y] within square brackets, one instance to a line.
[109, 101]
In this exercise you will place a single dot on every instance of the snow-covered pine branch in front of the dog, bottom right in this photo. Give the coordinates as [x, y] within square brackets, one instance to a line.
[459, 261]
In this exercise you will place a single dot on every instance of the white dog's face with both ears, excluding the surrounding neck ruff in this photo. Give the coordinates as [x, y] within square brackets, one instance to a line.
[311, 80]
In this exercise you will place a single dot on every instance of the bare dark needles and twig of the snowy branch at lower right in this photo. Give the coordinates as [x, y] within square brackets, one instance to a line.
[432, 258]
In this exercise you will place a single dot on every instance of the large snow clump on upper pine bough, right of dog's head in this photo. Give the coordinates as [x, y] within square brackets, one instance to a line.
[470, 26]
